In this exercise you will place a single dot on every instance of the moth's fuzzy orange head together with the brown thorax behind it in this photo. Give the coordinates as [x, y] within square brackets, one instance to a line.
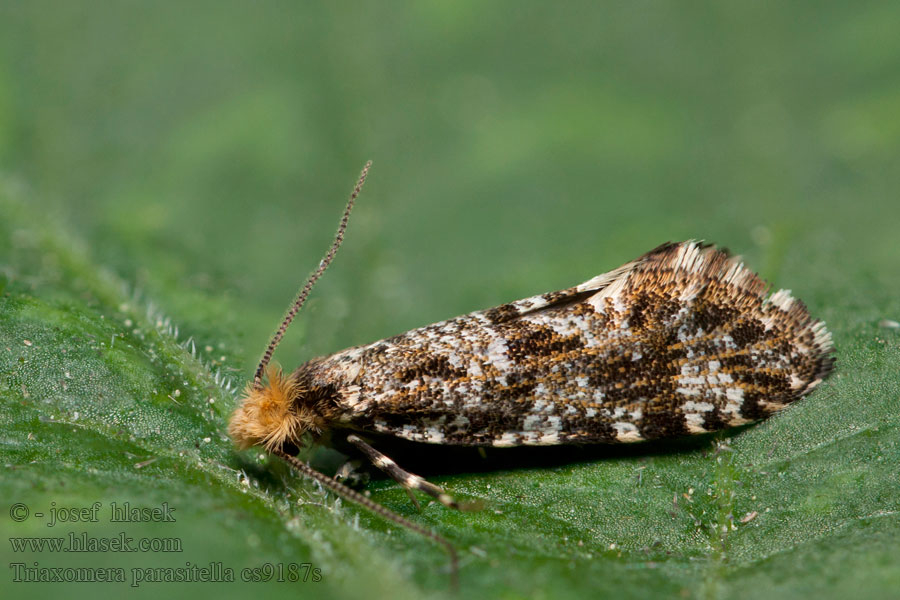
[286, 407]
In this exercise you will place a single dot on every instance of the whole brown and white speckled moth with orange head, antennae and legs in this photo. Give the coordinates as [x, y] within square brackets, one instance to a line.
[682, 340]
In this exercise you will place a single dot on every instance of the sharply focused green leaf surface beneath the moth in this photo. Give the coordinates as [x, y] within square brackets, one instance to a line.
[103, 401]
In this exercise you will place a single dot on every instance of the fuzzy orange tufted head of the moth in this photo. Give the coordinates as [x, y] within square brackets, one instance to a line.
[271, 414]
